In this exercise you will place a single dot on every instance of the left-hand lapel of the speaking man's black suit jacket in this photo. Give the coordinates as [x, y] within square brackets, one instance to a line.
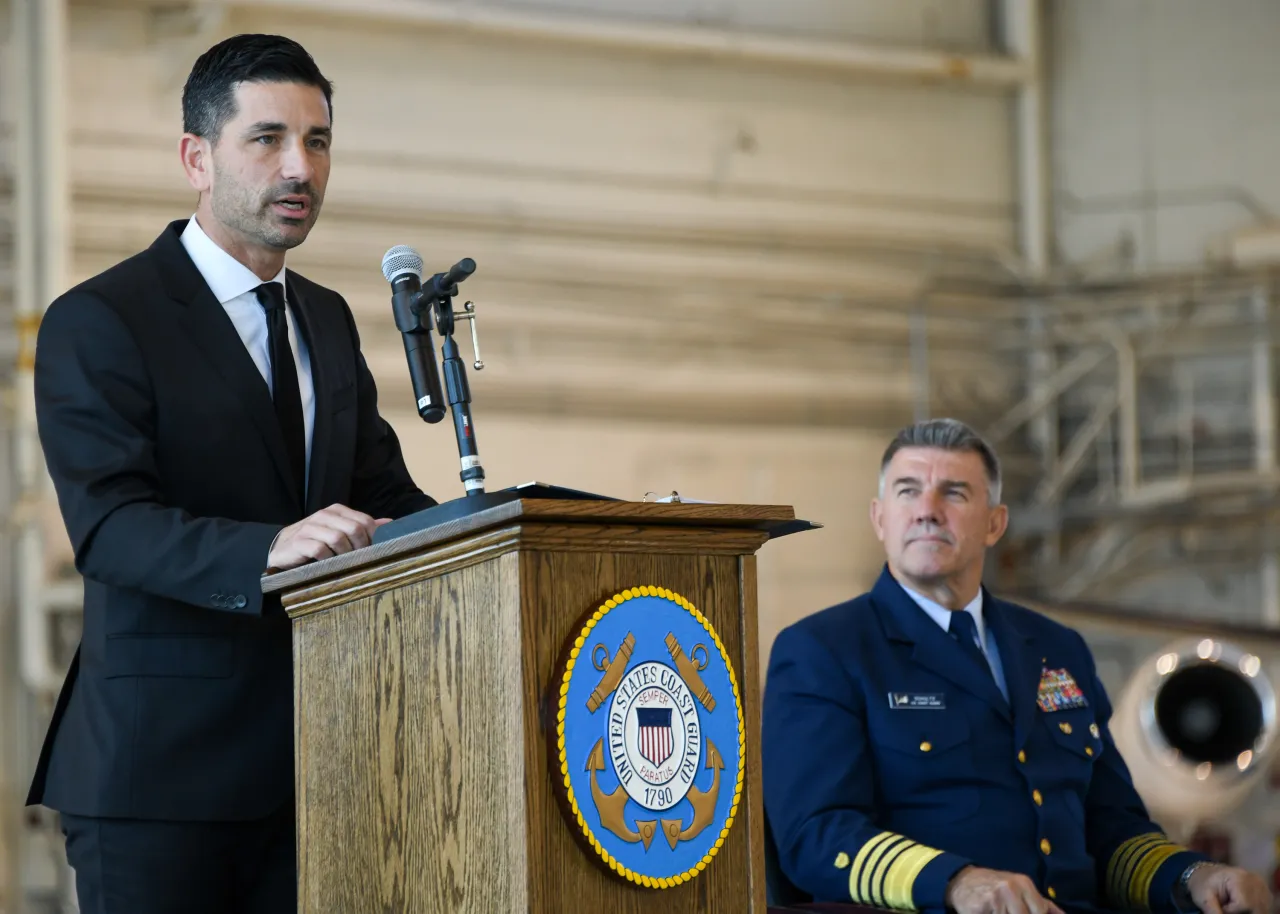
[211, 330]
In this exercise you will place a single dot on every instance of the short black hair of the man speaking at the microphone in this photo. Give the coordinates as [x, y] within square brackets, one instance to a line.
[209, 97]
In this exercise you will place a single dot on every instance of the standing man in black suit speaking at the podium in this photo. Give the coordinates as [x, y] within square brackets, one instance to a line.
[207, 415]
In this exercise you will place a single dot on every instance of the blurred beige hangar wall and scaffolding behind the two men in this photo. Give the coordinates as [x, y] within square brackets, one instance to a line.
[728, 248]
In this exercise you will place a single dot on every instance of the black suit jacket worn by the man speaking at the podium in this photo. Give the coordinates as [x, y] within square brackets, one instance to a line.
[173, 482]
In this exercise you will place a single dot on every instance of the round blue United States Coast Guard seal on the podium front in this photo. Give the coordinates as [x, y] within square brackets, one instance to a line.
[650, 738]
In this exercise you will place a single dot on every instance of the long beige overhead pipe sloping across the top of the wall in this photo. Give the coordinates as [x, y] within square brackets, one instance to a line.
[683, 42]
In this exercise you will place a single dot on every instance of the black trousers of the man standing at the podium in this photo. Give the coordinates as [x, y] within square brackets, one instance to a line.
[149, 867]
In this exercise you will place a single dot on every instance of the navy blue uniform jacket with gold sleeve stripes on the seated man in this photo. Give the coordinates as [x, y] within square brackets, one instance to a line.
[892, 761]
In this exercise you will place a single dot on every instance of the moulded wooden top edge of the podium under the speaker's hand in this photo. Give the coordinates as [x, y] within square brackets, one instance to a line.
[774, 519]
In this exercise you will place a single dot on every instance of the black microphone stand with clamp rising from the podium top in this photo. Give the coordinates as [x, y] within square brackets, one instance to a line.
[438, 295]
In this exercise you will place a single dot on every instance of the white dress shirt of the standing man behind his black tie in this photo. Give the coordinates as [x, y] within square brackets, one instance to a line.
[234, 286]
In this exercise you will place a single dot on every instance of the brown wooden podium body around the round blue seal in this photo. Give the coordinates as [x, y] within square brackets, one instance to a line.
[423, 673]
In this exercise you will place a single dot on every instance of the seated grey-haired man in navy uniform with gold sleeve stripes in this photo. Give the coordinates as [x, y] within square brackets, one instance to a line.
[929, 747]
